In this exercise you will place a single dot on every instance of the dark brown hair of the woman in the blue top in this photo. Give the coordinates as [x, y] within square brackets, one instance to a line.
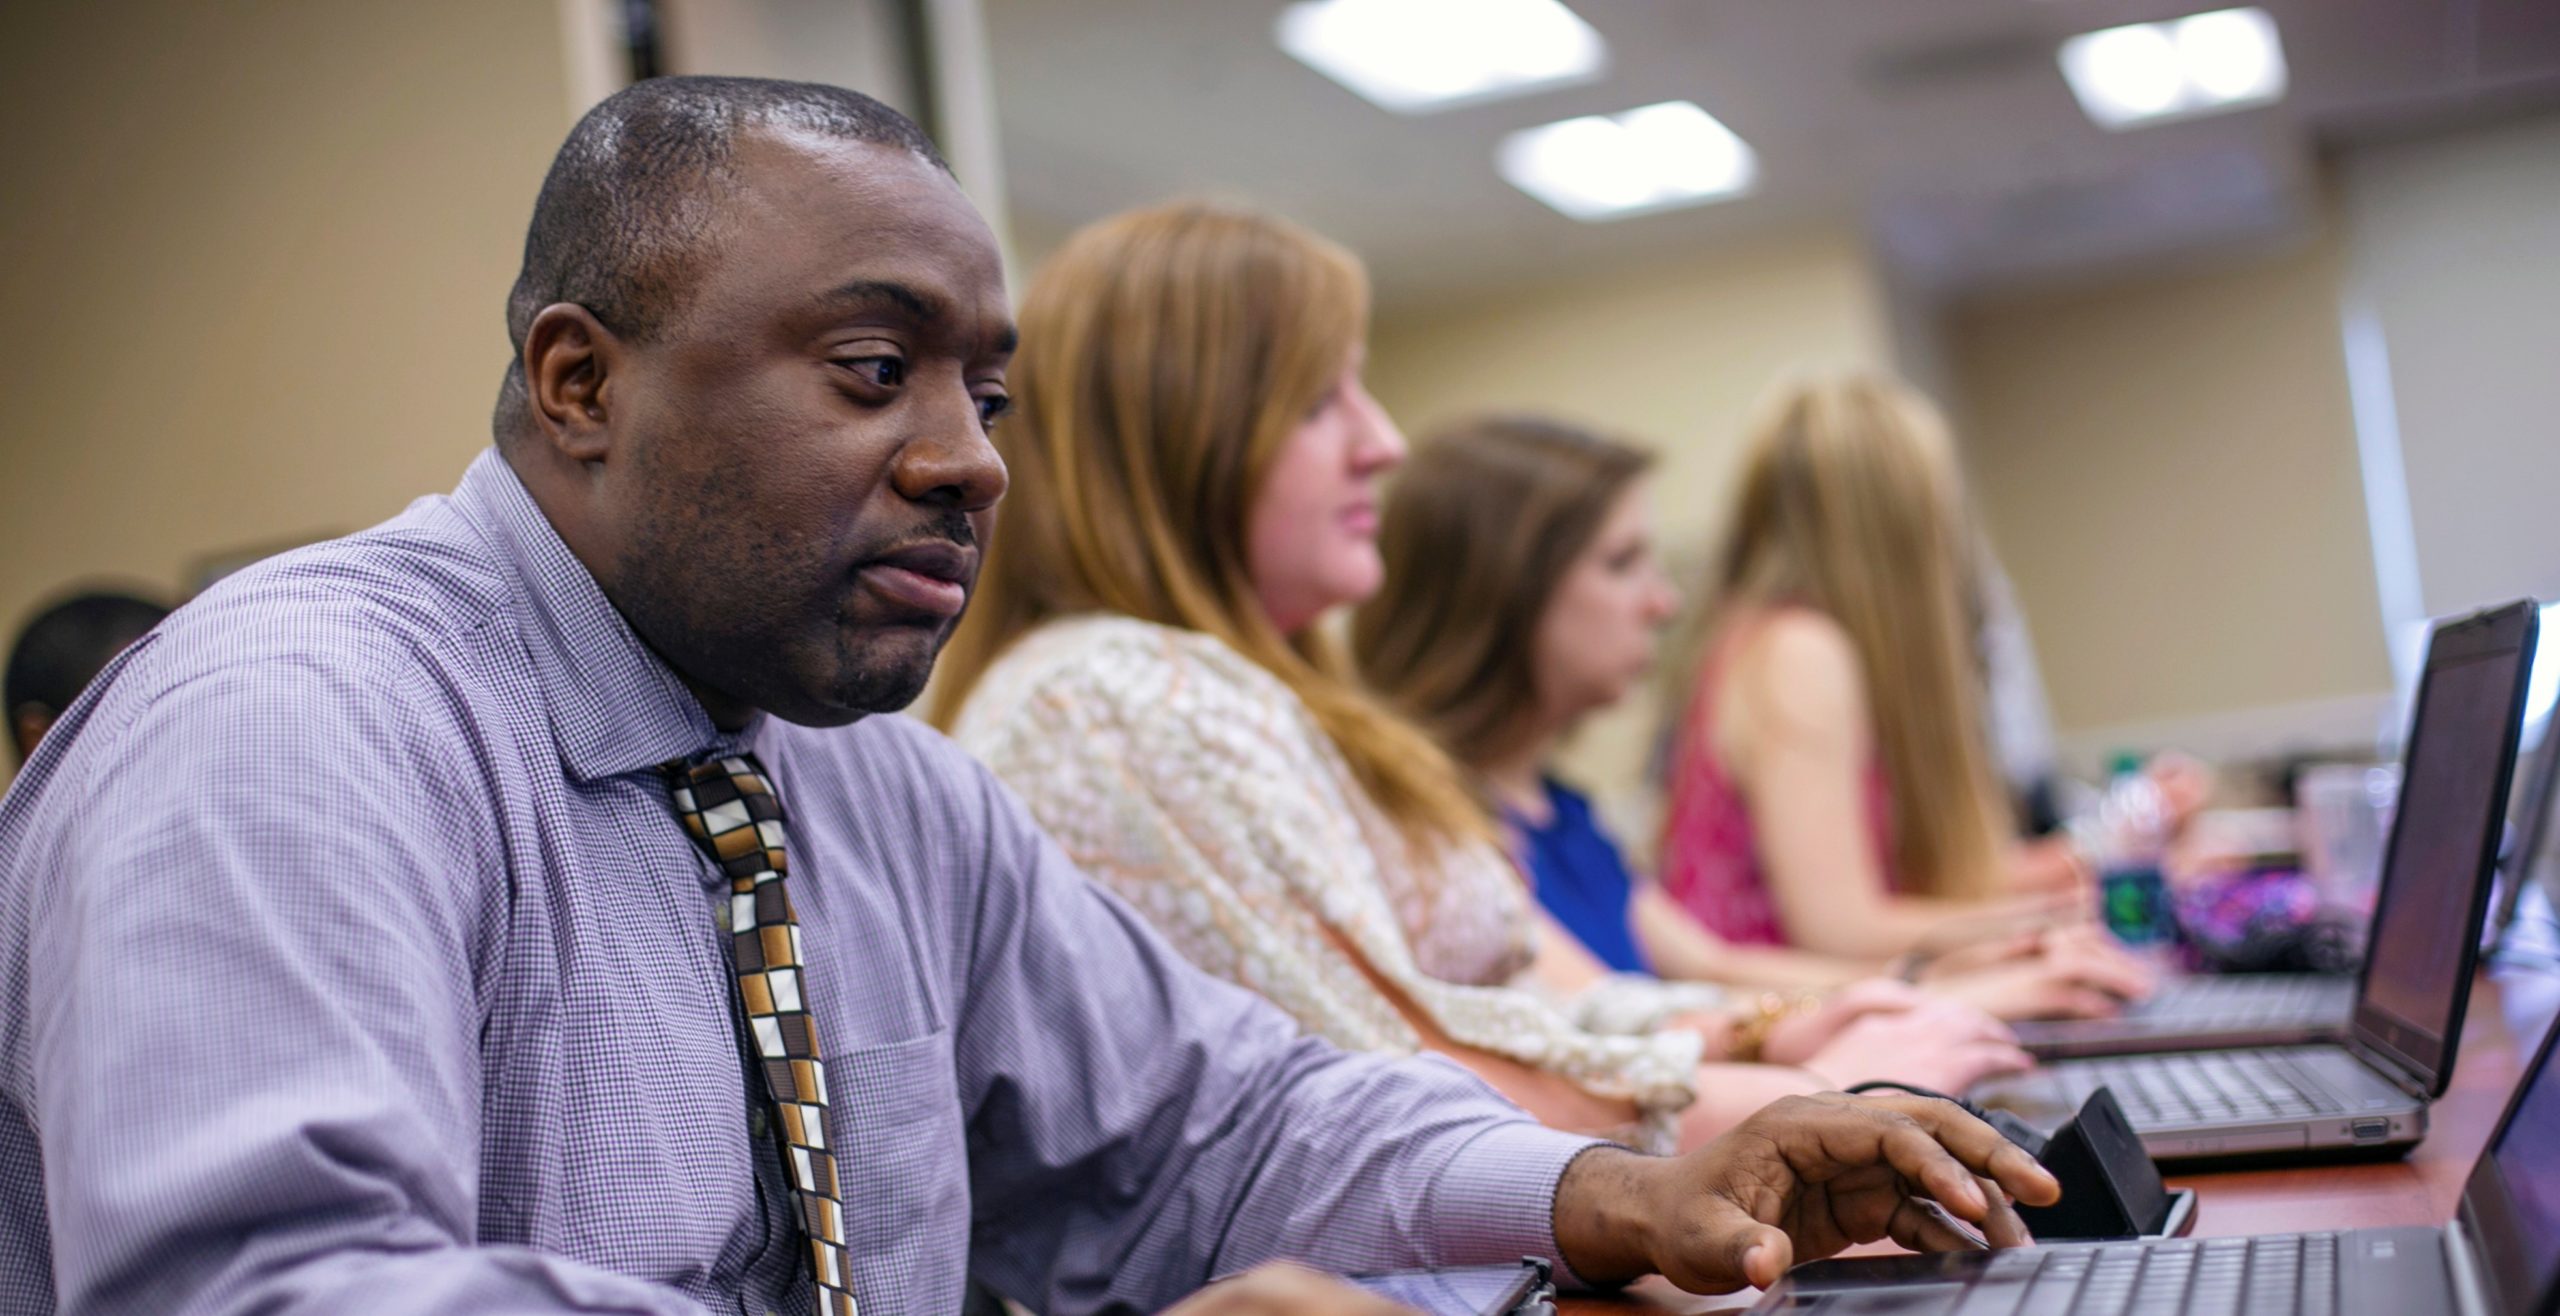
[1478, 534]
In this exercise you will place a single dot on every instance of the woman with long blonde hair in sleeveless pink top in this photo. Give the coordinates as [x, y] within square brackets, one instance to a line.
[1832, 782]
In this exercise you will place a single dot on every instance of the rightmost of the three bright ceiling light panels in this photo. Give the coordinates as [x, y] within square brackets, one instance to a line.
[2198, 65]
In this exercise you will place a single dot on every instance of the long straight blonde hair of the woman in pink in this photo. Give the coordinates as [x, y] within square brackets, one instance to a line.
[1852, 503]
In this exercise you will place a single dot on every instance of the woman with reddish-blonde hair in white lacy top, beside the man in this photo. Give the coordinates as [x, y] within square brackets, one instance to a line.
[1194, 483]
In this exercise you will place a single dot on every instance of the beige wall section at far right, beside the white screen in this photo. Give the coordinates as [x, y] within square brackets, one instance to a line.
[2170, 472]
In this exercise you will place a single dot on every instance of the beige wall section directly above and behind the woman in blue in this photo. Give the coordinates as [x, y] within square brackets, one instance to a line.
[1673, 357]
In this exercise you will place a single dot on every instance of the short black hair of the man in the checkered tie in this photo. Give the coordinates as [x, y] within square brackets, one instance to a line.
[634, 196]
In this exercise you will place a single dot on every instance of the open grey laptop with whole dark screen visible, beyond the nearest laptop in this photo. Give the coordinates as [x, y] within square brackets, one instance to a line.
[2372, 1089]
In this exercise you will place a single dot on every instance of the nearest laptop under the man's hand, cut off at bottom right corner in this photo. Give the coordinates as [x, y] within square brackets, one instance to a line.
[2497, 1258]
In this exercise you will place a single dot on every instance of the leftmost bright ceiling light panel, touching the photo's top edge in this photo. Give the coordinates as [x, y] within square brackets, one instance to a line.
[1432, 55]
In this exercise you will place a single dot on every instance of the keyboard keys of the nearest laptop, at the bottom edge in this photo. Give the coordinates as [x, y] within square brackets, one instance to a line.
[2272, 1276]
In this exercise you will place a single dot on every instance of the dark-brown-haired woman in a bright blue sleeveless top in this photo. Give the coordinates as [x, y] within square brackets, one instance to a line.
[1522, 598]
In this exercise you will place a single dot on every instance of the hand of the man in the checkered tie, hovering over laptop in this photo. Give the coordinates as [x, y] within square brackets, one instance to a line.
[1798, 1182]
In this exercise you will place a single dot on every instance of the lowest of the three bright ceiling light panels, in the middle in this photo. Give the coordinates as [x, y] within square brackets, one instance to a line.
[1635, 163]
